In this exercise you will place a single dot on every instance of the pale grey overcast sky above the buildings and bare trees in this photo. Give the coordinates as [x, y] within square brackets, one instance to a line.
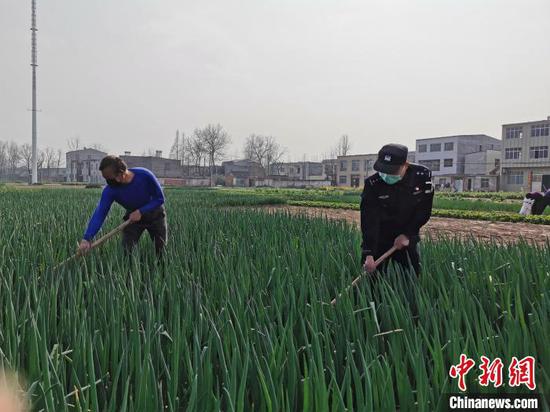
[127, 73]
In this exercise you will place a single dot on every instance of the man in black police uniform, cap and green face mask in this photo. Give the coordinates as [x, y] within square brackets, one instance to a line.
[396, 202]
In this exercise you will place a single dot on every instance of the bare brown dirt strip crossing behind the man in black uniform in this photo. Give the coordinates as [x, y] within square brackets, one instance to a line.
[501, 232]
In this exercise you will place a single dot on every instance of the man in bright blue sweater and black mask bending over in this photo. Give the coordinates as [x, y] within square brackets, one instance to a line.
[139, 192]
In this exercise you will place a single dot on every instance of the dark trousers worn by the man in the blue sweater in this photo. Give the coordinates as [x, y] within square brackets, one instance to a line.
[154, 223]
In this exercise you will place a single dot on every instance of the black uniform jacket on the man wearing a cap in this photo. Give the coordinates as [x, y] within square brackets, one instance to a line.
[390, 210]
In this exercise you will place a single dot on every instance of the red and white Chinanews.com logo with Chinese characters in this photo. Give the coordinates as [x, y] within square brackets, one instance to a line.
[517, 373]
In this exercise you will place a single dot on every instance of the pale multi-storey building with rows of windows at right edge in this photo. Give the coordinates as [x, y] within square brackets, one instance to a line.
[525, 158]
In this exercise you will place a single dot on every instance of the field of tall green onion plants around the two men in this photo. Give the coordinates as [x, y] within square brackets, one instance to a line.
[238, 316]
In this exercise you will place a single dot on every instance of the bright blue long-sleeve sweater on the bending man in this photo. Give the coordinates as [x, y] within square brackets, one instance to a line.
[143, 193]
